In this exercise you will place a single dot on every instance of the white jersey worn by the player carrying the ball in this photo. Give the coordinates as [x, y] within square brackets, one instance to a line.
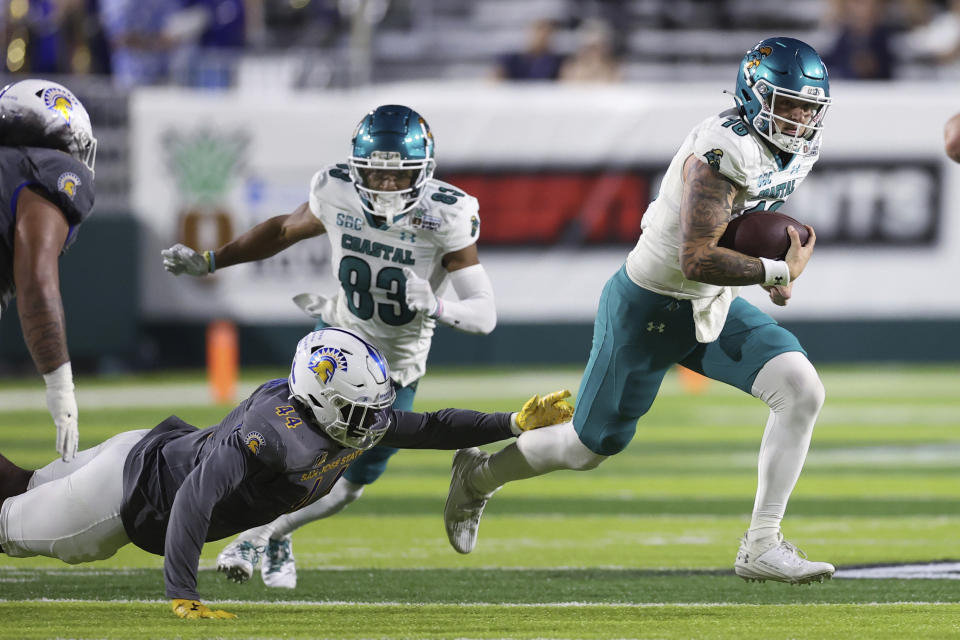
[725, 142]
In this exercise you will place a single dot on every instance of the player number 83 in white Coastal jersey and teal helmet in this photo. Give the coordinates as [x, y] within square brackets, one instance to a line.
[396, 235]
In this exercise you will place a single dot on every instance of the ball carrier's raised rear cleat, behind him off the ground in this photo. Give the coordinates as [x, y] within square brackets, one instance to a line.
[461, 513]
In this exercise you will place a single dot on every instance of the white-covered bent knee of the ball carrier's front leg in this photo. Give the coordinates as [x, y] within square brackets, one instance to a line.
[789, 382]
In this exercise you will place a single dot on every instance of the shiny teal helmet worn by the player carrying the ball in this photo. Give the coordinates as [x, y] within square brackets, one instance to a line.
[778, 68]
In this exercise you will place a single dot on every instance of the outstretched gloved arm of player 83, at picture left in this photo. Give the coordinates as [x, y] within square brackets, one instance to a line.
[262, 241]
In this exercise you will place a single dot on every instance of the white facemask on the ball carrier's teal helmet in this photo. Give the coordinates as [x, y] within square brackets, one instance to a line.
[786, 134]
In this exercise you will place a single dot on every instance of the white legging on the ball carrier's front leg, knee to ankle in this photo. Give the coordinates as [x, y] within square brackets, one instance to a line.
[789, 384]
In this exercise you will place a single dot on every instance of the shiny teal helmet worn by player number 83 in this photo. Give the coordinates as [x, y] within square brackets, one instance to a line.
[395, 139]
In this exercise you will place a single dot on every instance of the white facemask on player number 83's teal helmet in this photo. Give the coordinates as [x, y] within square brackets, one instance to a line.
[389, 204]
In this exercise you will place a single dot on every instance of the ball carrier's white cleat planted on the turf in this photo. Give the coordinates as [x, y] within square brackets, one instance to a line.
[774, 558]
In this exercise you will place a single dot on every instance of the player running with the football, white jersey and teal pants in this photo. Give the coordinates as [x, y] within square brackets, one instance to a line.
[675, 301]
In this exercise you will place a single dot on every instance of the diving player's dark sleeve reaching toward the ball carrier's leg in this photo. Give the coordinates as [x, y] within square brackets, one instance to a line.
[446, 429]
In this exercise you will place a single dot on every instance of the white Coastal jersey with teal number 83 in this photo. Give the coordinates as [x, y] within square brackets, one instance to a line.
[369, 262]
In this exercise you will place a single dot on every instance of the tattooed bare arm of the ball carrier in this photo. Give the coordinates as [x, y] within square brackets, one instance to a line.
[704, 214]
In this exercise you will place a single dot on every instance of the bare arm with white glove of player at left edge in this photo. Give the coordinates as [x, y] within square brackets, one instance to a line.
[41, 231]
